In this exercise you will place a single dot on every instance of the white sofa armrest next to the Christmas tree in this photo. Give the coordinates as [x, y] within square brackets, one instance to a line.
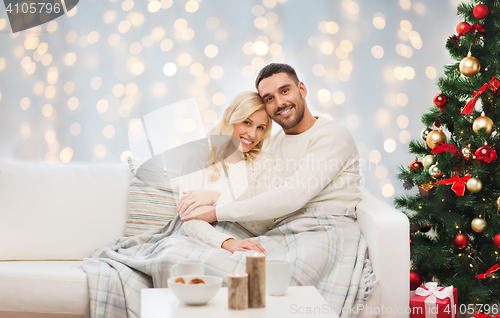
[386, 231]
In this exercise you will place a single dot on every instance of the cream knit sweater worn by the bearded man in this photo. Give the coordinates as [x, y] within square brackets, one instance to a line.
[319, 167]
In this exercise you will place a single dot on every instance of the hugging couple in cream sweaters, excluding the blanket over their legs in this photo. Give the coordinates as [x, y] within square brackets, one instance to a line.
[311, 163]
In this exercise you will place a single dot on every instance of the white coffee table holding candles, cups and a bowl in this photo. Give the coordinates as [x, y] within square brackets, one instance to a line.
[299, 301]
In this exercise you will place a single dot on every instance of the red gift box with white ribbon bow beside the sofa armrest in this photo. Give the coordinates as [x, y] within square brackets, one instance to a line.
[431, 301]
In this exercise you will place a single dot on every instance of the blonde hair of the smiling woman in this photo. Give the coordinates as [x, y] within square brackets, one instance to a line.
[241, 106]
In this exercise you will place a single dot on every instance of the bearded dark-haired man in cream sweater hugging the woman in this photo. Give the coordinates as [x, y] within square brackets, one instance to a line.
[317, 159]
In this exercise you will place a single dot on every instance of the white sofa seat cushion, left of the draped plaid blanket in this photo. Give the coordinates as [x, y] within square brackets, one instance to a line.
[43, 287]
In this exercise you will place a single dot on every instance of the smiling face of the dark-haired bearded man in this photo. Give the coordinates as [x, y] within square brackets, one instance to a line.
[284, 99]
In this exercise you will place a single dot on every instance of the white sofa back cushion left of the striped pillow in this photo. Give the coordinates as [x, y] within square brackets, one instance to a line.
[60, 211]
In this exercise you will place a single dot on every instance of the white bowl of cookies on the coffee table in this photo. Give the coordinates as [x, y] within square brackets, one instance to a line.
[195, 289]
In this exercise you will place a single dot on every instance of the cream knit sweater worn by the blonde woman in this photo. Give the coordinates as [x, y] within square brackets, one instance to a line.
[246, 179]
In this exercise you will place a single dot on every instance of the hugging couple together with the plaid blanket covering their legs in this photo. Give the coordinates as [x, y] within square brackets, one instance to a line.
[296, 201]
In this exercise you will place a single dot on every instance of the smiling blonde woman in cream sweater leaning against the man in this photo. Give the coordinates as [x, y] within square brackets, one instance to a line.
[239, 170]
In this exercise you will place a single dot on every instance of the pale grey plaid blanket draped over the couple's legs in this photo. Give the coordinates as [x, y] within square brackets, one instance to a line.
[325, 250]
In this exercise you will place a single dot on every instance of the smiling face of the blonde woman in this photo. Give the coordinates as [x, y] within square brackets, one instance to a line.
[251, 130]
